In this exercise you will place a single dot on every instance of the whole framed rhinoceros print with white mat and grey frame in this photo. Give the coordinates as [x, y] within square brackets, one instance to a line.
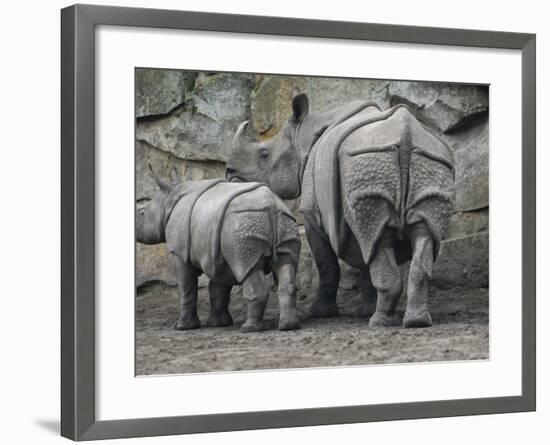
[262, 215]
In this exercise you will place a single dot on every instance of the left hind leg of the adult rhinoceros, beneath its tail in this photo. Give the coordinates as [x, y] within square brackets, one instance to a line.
[386, 278]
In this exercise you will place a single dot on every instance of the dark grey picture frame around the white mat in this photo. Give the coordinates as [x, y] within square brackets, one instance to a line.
[78, 23]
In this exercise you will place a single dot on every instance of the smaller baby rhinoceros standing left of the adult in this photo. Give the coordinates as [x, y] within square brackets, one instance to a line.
[234, 234]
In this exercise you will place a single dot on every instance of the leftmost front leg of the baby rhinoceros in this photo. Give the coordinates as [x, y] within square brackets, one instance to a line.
[187, 278]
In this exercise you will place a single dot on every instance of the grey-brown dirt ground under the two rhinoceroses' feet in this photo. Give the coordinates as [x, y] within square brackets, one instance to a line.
[460, 332]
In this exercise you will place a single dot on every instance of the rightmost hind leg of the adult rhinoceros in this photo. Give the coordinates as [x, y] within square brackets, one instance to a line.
[417, 313]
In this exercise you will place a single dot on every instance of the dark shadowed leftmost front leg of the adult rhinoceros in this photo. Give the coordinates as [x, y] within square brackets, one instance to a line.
[326, 260]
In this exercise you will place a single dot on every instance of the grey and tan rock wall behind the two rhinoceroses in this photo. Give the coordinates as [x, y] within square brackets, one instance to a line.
[188, 119]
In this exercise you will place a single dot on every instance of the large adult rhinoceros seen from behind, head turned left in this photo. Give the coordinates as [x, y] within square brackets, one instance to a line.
[376, 190]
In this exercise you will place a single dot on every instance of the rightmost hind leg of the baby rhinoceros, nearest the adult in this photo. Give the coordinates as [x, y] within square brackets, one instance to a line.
[286, 289]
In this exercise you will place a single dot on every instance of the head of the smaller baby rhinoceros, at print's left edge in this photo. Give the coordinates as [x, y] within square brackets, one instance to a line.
[150, 217]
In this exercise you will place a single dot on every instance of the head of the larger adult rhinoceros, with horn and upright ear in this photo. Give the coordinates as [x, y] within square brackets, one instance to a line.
[275, 161]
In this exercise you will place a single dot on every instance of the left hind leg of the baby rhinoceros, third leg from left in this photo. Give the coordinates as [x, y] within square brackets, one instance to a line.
[256, 293]
